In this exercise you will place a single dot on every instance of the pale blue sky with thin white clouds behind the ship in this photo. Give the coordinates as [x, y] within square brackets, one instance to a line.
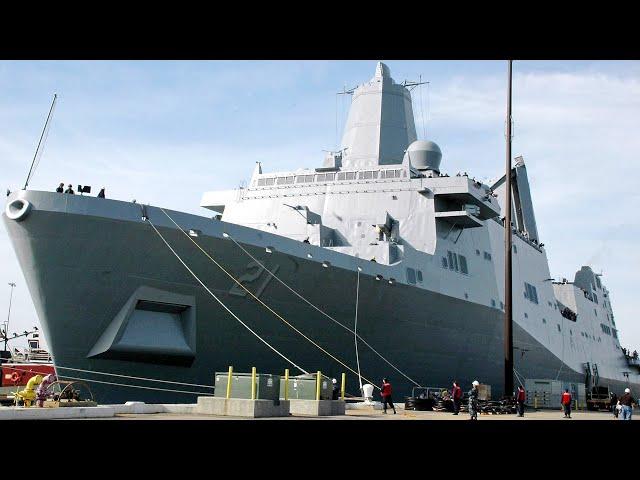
[163, 132]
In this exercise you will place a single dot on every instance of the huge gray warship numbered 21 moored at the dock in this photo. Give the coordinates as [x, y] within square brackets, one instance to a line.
[376, 263]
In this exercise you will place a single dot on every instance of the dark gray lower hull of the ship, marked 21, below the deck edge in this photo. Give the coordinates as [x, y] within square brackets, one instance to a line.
[84, 259]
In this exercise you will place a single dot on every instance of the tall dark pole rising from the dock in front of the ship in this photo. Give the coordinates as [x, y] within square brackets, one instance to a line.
[508, 271]
